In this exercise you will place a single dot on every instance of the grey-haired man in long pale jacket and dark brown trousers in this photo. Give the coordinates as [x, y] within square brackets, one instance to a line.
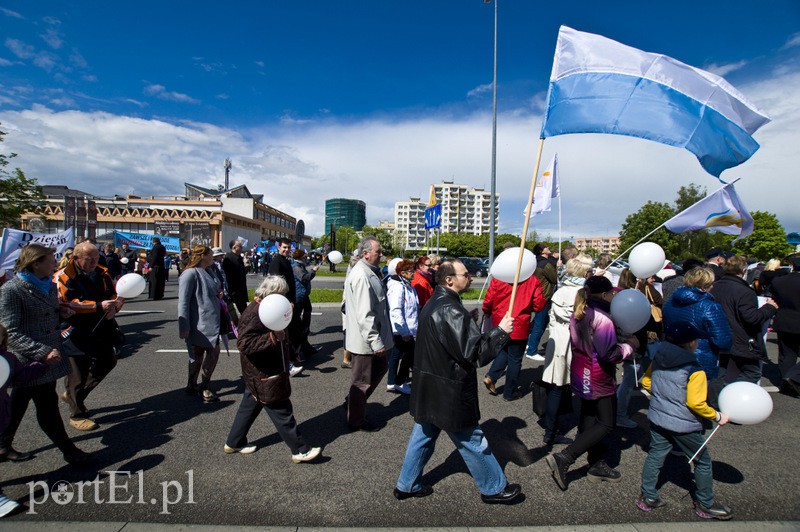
[369, 331]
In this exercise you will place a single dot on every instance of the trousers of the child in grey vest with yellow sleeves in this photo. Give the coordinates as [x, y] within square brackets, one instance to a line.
[661, 441]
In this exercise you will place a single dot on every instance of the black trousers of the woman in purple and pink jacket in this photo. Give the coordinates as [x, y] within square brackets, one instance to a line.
[598, 419]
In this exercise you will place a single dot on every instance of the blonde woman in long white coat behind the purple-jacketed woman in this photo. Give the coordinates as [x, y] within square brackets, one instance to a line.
[558, 351]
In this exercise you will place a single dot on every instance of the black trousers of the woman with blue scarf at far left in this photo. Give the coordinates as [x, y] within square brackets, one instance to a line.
[45, 400]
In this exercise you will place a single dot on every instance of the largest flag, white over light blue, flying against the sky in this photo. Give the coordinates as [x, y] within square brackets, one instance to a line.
[601, 86]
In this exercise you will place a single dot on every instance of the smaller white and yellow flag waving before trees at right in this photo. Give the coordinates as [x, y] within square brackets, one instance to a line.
[722, 211]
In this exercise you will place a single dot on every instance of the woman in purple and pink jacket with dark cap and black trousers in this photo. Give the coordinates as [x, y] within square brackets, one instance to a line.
[595, 355]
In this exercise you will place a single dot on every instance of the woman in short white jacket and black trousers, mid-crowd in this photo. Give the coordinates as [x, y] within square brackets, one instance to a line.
[403, 313]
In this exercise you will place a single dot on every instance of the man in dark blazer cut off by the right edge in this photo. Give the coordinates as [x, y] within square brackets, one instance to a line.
[786, 292]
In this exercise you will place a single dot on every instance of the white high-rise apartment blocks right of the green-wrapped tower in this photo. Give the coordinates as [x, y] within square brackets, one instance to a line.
[464, 210]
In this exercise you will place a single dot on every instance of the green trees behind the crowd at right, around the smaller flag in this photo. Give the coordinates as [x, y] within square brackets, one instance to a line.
[767, 241]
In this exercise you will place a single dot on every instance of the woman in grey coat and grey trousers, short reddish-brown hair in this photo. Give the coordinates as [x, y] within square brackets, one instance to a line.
[199, 295]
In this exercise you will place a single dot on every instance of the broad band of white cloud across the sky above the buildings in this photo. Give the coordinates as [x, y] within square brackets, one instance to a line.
[297, 164]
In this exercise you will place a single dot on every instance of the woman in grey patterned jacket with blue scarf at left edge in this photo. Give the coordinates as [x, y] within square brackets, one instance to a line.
[29, 310]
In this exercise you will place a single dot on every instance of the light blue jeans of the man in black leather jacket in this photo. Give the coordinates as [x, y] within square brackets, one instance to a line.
[471, 444]
